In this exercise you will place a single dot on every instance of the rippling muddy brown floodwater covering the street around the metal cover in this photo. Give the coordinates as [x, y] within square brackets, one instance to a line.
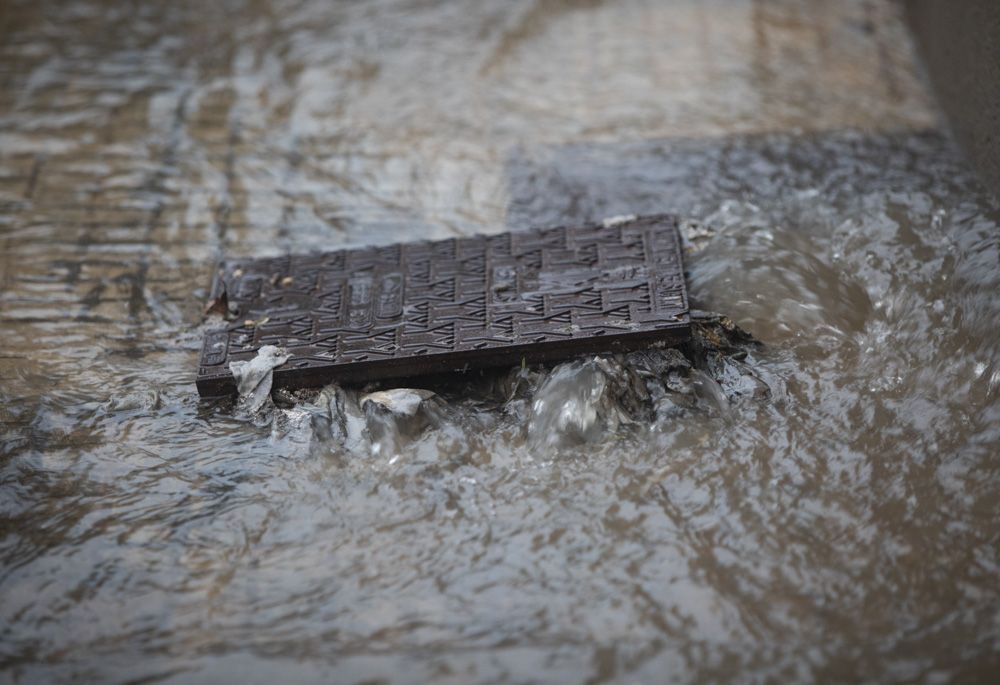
[842, 526]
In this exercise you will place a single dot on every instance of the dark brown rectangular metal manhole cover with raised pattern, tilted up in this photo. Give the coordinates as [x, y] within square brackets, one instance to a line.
[413, 309]
